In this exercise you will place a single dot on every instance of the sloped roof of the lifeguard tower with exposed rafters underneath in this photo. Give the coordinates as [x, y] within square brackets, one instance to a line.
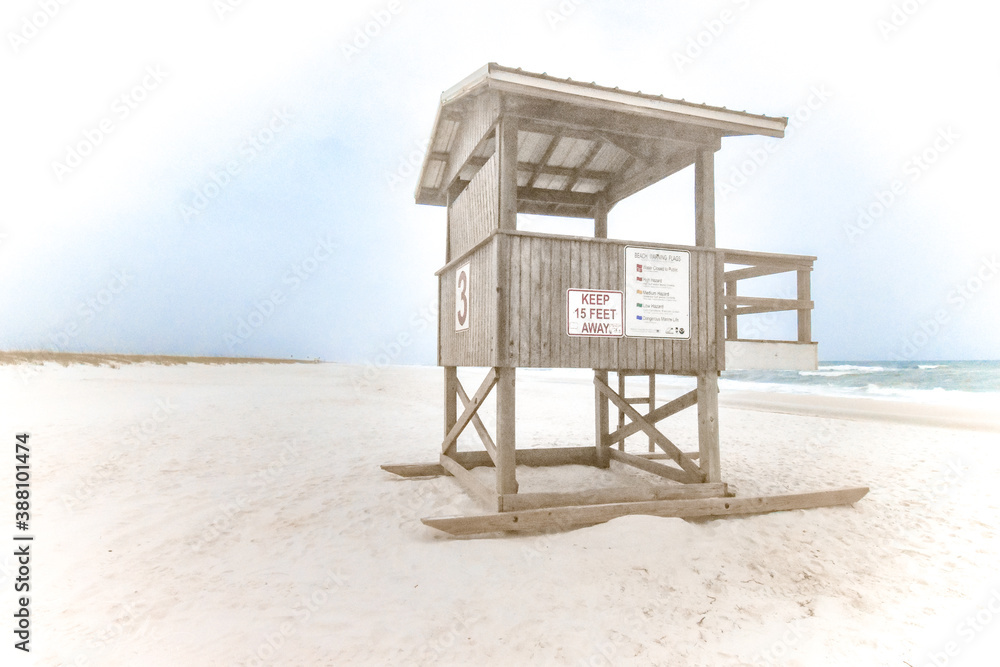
[577, 141]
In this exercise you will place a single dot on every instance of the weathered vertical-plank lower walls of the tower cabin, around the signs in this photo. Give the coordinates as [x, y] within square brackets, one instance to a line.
[540, 270]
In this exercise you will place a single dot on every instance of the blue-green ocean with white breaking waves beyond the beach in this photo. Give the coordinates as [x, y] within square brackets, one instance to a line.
[974, 383]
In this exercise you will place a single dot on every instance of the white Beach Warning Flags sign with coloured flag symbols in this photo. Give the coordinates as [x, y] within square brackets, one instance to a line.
[657, 293]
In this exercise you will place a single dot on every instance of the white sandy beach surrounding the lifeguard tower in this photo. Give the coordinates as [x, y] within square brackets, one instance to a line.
[236, 515]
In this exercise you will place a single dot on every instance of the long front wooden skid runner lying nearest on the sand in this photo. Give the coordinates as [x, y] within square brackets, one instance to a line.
[564, 518]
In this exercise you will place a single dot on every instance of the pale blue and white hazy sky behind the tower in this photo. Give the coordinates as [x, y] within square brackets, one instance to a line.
[236, 177]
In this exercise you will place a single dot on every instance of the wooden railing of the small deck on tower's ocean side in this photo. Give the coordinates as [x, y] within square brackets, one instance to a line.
[757, 264]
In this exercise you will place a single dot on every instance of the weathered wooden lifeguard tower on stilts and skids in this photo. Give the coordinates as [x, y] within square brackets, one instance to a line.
[507, 141]
